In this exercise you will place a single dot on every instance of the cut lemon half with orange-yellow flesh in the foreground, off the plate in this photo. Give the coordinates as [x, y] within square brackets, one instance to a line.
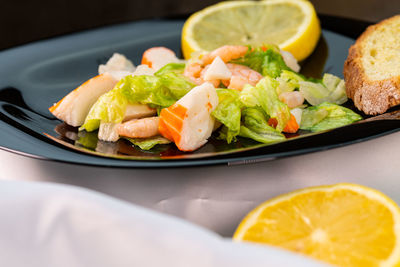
[343, 224]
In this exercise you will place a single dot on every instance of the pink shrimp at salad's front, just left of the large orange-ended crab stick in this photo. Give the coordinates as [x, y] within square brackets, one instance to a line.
[140, 128]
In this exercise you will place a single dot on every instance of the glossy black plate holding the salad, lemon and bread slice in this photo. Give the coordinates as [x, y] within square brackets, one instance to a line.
[34, 76]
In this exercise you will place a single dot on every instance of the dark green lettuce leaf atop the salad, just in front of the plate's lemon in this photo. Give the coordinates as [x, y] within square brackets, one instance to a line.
[268, 62]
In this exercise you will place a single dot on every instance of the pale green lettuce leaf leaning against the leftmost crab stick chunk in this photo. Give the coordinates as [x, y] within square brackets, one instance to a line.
[110, 107]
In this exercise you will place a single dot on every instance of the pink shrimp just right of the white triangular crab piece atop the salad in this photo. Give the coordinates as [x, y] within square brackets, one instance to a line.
[241, 75]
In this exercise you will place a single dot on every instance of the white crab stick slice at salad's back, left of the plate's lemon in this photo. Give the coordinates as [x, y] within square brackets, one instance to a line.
[158, 57]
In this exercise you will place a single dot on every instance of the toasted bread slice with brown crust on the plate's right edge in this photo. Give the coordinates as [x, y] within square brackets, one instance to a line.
[372, 68]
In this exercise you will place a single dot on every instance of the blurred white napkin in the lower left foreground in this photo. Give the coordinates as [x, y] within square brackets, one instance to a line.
[56, 225]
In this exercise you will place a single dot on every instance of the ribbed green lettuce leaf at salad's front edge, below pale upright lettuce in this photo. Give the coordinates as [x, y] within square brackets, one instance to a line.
[255, 126]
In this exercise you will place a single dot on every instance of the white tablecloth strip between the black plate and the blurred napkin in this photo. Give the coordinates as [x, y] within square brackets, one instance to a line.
[218, 197]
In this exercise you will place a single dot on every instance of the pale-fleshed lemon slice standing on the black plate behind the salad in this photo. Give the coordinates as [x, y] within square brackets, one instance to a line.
[291, 24]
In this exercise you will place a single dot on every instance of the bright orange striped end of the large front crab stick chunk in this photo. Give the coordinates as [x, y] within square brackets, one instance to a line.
[171, 122]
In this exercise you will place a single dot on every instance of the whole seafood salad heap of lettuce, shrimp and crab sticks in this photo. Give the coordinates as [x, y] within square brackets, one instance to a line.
[231, 92]
